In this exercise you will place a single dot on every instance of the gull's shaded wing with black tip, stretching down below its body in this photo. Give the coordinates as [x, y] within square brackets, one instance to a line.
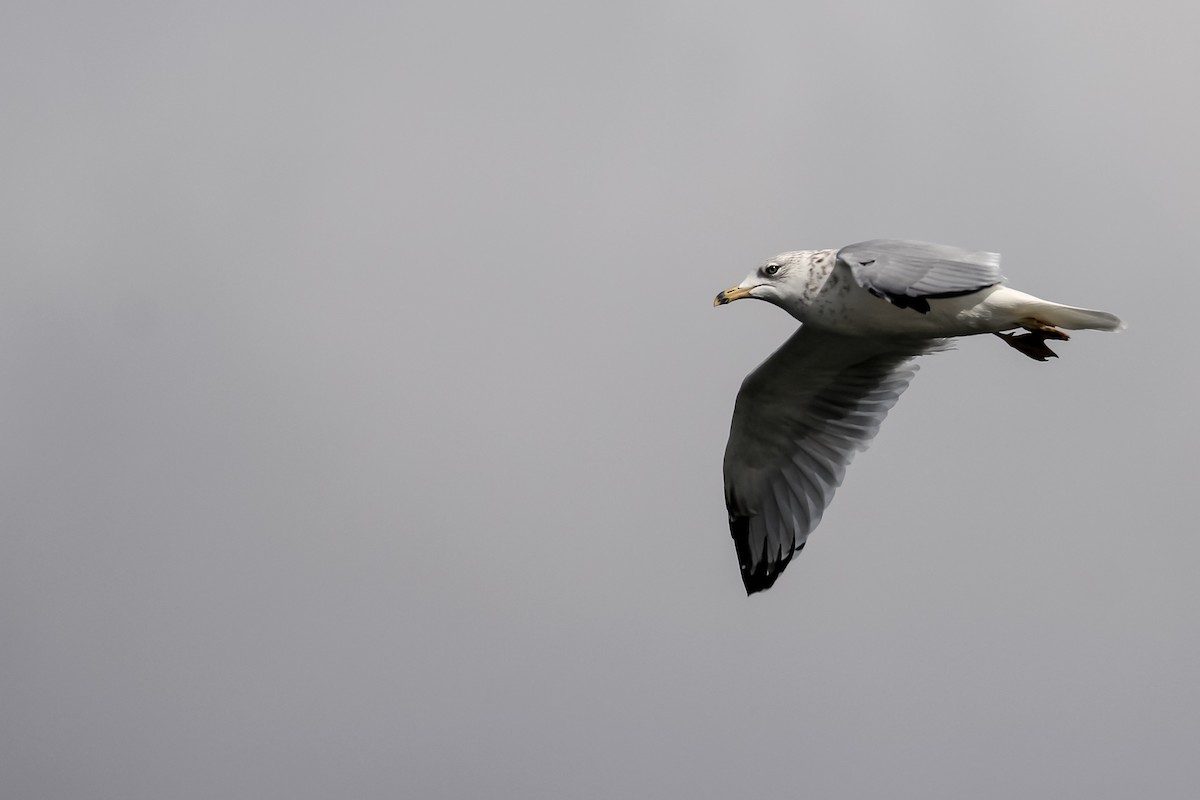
[799, 422]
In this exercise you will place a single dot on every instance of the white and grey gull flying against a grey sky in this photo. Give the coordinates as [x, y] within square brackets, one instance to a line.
[866, 312]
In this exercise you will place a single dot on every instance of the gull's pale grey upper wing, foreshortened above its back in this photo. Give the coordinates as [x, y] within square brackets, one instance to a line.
[908, 274]
